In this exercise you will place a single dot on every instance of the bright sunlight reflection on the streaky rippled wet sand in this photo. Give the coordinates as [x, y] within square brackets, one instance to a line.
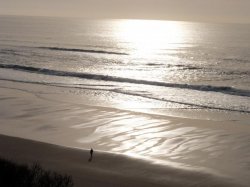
[150, 136]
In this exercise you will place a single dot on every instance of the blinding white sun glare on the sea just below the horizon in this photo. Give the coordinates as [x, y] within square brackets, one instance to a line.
[147, 37]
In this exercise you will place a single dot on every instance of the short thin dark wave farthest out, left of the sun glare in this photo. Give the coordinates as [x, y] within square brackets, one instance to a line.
[83, 50]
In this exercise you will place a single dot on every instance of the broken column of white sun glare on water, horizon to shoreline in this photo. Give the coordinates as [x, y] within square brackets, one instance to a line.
[147, 41]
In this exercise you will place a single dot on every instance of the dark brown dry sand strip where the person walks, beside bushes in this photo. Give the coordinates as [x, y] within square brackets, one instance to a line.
[105, 169]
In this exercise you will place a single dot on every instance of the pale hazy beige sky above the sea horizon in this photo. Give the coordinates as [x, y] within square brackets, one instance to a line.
[195, 10]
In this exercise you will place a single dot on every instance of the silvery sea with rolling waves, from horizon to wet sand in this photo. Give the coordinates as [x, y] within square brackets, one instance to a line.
[169, 65]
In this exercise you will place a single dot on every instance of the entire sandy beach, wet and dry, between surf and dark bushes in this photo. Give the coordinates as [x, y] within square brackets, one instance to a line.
[131, 148]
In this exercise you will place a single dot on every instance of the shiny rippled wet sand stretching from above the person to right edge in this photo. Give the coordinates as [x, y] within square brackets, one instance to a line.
[170, 140]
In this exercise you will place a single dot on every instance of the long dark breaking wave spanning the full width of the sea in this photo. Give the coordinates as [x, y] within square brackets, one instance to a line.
[220, 89]
